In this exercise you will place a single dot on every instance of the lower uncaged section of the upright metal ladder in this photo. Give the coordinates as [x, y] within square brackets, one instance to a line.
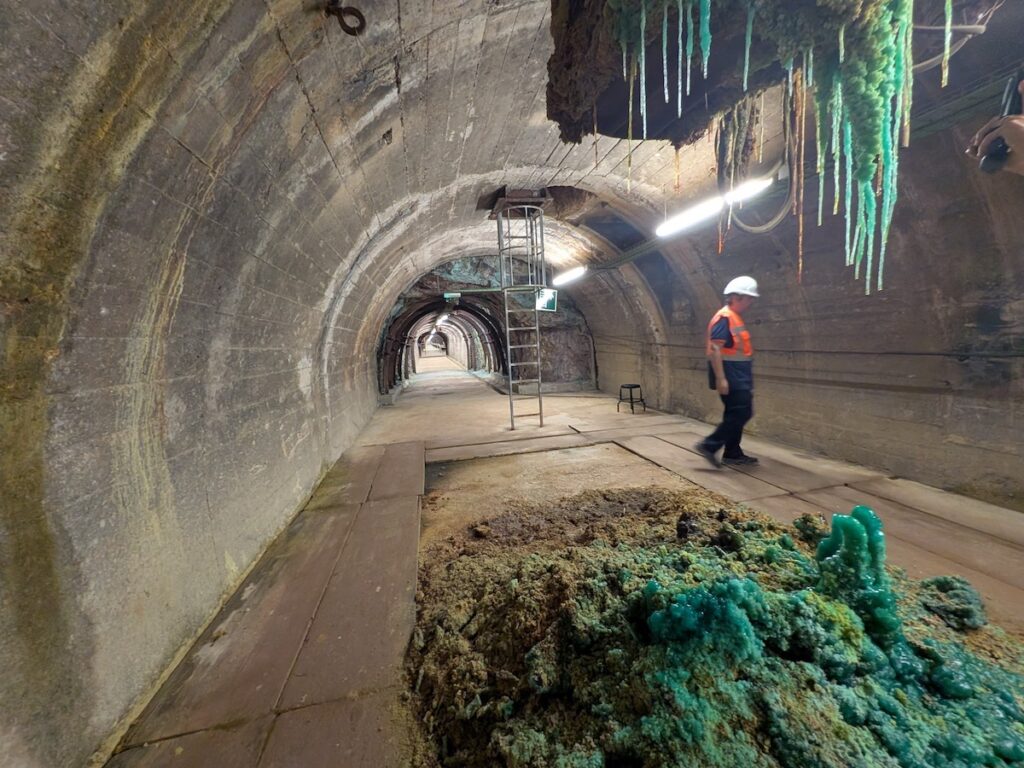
[524, 357]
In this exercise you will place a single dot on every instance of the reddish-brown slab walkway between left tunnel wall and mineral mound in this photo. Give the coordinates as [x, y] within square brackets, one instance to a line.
[304, 666]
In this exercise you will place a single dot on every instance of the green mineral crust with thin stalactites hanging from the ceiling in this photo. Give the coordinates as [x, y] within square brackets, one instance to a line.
[857, 56]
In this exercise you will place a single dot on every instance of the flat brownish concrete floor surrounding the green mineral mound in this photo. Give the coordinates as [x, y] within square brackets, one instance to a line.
[304, 666]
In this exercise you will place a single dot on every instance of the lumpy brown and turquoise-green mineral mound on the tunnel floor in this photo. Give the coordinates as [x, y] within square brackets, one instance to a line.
[649, 628]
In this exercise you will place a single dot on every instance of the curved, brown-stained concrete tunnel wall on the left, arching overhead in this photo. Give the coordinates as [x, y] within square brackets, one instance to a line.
[209, 210]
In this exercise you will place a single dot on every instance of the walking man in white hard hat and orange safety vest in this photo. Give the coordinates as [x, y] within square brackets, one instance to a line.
[731, 372]
